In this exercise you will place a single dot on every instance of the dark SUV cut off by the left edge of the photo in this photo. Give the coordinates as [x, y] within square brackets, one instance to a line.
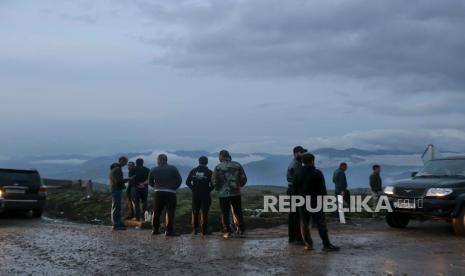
[22, 190]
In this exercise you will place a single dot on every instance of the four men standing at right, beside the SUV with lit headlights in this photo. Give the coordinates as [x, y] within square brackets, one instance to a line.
[305, 179]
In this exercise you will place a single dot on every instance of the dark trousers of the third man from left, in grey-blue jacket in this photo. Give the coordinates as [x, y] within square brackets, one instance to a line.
[164, 201]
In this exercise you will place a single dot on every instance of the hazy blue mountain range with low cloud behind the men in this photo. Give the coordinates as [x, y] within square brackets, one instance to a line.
[261, 168]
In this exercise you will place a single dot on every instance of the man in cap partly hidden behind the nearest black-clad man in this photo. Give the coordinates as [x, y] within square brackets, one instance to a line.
[293, 220]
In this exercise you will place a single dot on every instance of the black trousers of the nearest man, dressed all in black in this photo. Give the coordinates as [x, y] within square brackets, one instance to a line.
[318, 219]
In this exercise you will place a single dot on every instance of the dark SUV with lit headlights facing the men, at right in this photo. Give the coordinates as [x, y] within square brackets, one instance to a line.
[436, 192]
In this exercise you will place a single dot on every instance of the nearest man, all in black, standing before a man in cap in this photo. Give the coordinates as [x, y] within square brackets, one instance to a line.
[309, 181]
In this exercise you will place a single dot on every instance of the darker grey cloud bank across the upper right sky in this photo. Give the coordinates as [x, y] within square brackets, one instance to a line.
[410, 45]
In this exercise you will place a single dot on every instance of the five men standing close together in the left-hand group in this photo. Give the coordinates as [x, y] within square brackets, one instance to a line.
[227, 179]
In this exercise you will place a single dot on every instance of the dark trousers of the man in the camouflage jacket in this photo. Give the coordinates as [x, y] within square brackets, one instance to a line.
[225, 205]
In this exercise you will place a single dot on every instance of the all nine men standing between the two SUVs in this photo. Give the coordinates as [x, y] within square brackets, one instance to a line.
[227, 179]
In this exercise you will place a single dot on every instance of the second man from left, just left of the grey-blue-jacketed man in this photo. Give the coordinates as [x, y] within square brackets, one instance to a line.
[140, 190]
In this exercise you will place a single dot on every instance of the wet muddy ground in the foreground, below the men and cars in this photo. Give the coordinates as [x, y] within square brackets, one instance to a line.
[368, 247]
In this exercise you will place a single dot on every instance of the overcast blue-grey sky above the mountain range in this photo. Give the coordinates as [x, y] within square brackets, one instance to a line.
[99, 77]
